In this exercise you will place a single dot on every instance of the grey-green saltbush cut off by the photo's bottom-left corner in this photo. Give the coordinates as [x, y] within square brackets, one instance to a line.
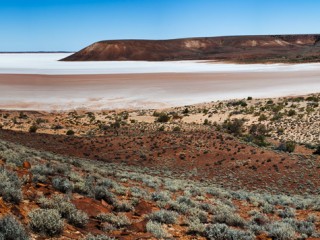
[12, 229]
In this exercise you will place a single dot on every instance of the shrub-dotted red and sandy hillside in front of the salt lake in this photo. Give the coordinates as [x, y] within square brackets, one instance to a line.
[245, 169]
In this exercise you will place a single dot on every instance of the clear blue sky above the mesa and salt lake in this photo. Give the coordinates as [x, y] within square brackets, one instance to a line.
[32, 25]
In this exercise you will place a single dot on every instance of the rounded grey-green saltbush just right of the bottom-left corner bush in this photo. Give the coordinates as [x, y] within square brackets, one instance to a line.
[47, 222]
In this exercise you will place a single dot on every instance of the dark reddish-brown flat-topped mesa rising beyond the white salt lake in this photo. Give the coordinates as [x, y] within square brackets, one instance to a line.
[267, 48]
